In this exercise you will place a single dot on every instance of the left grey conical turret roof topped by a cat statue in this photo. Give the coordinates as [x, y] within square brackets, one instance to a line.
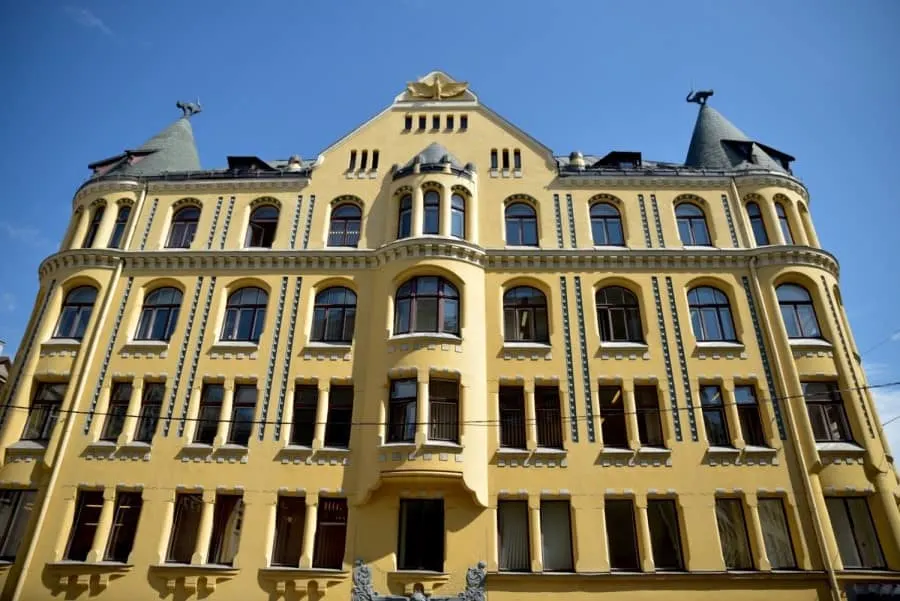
[171, 150]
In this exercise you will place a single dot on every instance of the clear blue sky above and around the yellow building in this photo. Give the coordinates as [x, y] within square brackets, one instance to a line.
[818, 79]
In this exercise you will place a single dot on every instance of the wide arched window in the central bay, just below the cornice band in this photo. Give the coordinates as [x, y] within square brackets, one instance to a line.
[427, 304]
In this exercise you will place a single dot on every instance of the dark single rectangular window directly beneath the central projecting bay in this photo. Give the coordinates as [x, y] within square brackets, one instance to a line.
[421, 536]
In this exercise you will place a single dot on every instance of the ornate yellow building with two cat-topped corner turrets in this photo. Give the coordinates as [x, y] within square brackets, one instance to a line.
[439, 360]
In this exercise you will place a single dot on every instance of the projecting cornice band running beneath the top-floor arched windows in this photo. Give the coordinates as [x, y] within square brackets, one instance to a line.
[188, 261]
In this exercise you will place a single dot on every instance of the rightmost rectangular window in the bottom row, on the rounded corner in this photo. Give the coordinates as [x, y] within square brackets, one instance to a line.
[855, 533]
